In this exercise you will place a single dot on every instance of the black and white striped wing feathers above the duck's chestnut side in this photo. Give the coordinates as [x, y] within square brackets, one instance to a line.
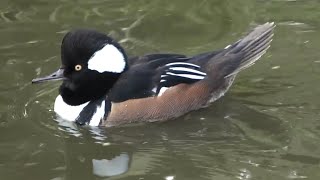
[177, 73]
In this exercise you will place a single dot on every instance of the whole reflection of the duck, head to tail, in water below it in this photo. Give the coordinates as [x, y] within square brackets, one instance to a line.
[221, 139]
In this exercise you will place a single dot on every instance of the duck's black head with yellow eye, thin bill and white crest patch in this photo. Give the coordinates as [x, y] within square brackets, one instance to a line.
[91, 62]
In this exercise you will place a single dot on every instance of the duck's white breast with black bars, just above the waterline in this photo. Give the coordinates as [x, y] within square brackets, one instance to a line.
[91, 112]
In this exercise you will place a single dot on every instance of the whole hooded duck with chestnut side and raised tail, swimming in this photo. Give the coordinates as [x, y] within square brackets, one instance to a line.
[102, 86]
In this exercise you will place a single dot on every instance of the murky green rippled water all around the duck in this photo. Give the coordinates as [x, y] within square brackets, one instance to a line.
[266, 127]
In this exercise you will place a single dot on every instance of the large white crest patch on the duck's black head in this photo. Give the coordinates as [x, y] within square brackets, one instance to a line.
[107, 59]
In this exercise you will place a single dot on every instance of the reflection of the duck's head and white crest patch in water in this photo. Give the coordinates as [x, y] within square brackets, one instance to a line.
[94, 154]
